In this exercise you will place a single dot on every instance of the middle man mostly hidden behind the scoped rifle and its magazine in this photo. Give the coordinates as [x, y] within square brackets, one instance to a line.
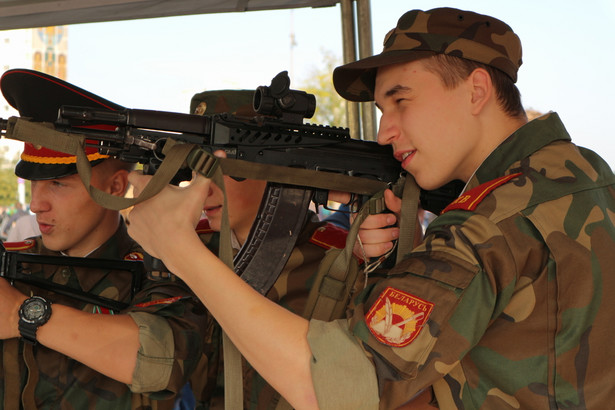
[291, 288]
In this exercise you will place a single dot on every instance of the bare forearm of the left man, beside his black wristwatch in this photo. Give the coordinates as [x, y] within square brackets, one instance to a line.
[105, 343]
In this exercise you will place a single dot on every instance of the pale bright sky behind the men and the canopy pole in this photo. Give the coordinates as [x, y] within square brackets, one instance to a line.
[159, 64]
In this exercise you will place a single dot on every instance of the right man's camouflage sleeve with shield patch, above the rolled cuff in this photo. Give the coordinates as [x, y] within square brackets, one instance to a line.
[418, 320]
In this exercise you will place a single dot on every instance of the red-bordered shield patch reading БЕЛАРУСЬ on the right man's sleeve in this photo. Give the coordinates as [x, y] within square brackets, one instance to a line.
[397, 317]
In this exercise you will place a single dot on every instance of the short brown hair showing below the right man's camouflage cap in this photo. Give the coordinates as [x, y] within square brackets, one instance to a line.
[452, 70]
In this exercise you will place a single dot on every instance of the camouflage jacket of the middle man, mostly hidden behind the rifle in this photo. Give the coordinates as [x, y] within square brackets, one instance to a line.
[290, 290]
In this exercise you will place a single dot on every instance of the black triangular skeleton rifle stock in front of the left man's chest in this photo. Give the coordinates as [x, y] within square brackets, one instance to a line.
[14, 266]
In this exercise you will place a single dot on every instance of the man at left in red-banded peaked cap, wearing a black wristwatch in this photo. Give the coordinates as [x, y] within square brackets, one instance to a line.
[86, 355]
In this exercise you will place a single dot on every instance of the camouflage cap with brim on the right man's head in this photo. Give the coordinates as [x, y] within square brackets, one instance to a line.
[420, 34]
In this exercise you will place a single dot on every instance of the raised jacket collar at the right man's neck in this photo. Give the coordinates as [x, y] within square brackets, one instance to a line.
[522, 143]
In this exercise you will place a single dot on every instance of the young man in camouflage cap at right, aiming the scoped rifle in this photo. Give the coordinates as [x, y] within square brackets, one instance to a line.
[505, 305]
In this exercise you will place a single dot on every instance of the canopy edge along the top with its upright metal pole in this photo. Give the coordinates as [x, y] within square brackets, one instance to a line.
[356, 19]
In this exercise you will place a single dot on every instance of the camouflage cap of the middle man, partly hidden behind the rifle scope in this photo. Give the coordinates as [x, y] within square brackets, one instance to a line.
[236, 102]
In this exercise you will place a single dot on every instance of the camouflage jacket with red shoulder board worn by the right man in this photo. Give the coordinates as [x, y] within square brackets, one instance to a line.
[506, 304]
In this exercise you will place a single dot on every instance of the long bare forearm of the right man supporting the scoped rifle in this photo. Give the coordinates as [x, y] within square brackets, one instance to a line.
[270, 337]
